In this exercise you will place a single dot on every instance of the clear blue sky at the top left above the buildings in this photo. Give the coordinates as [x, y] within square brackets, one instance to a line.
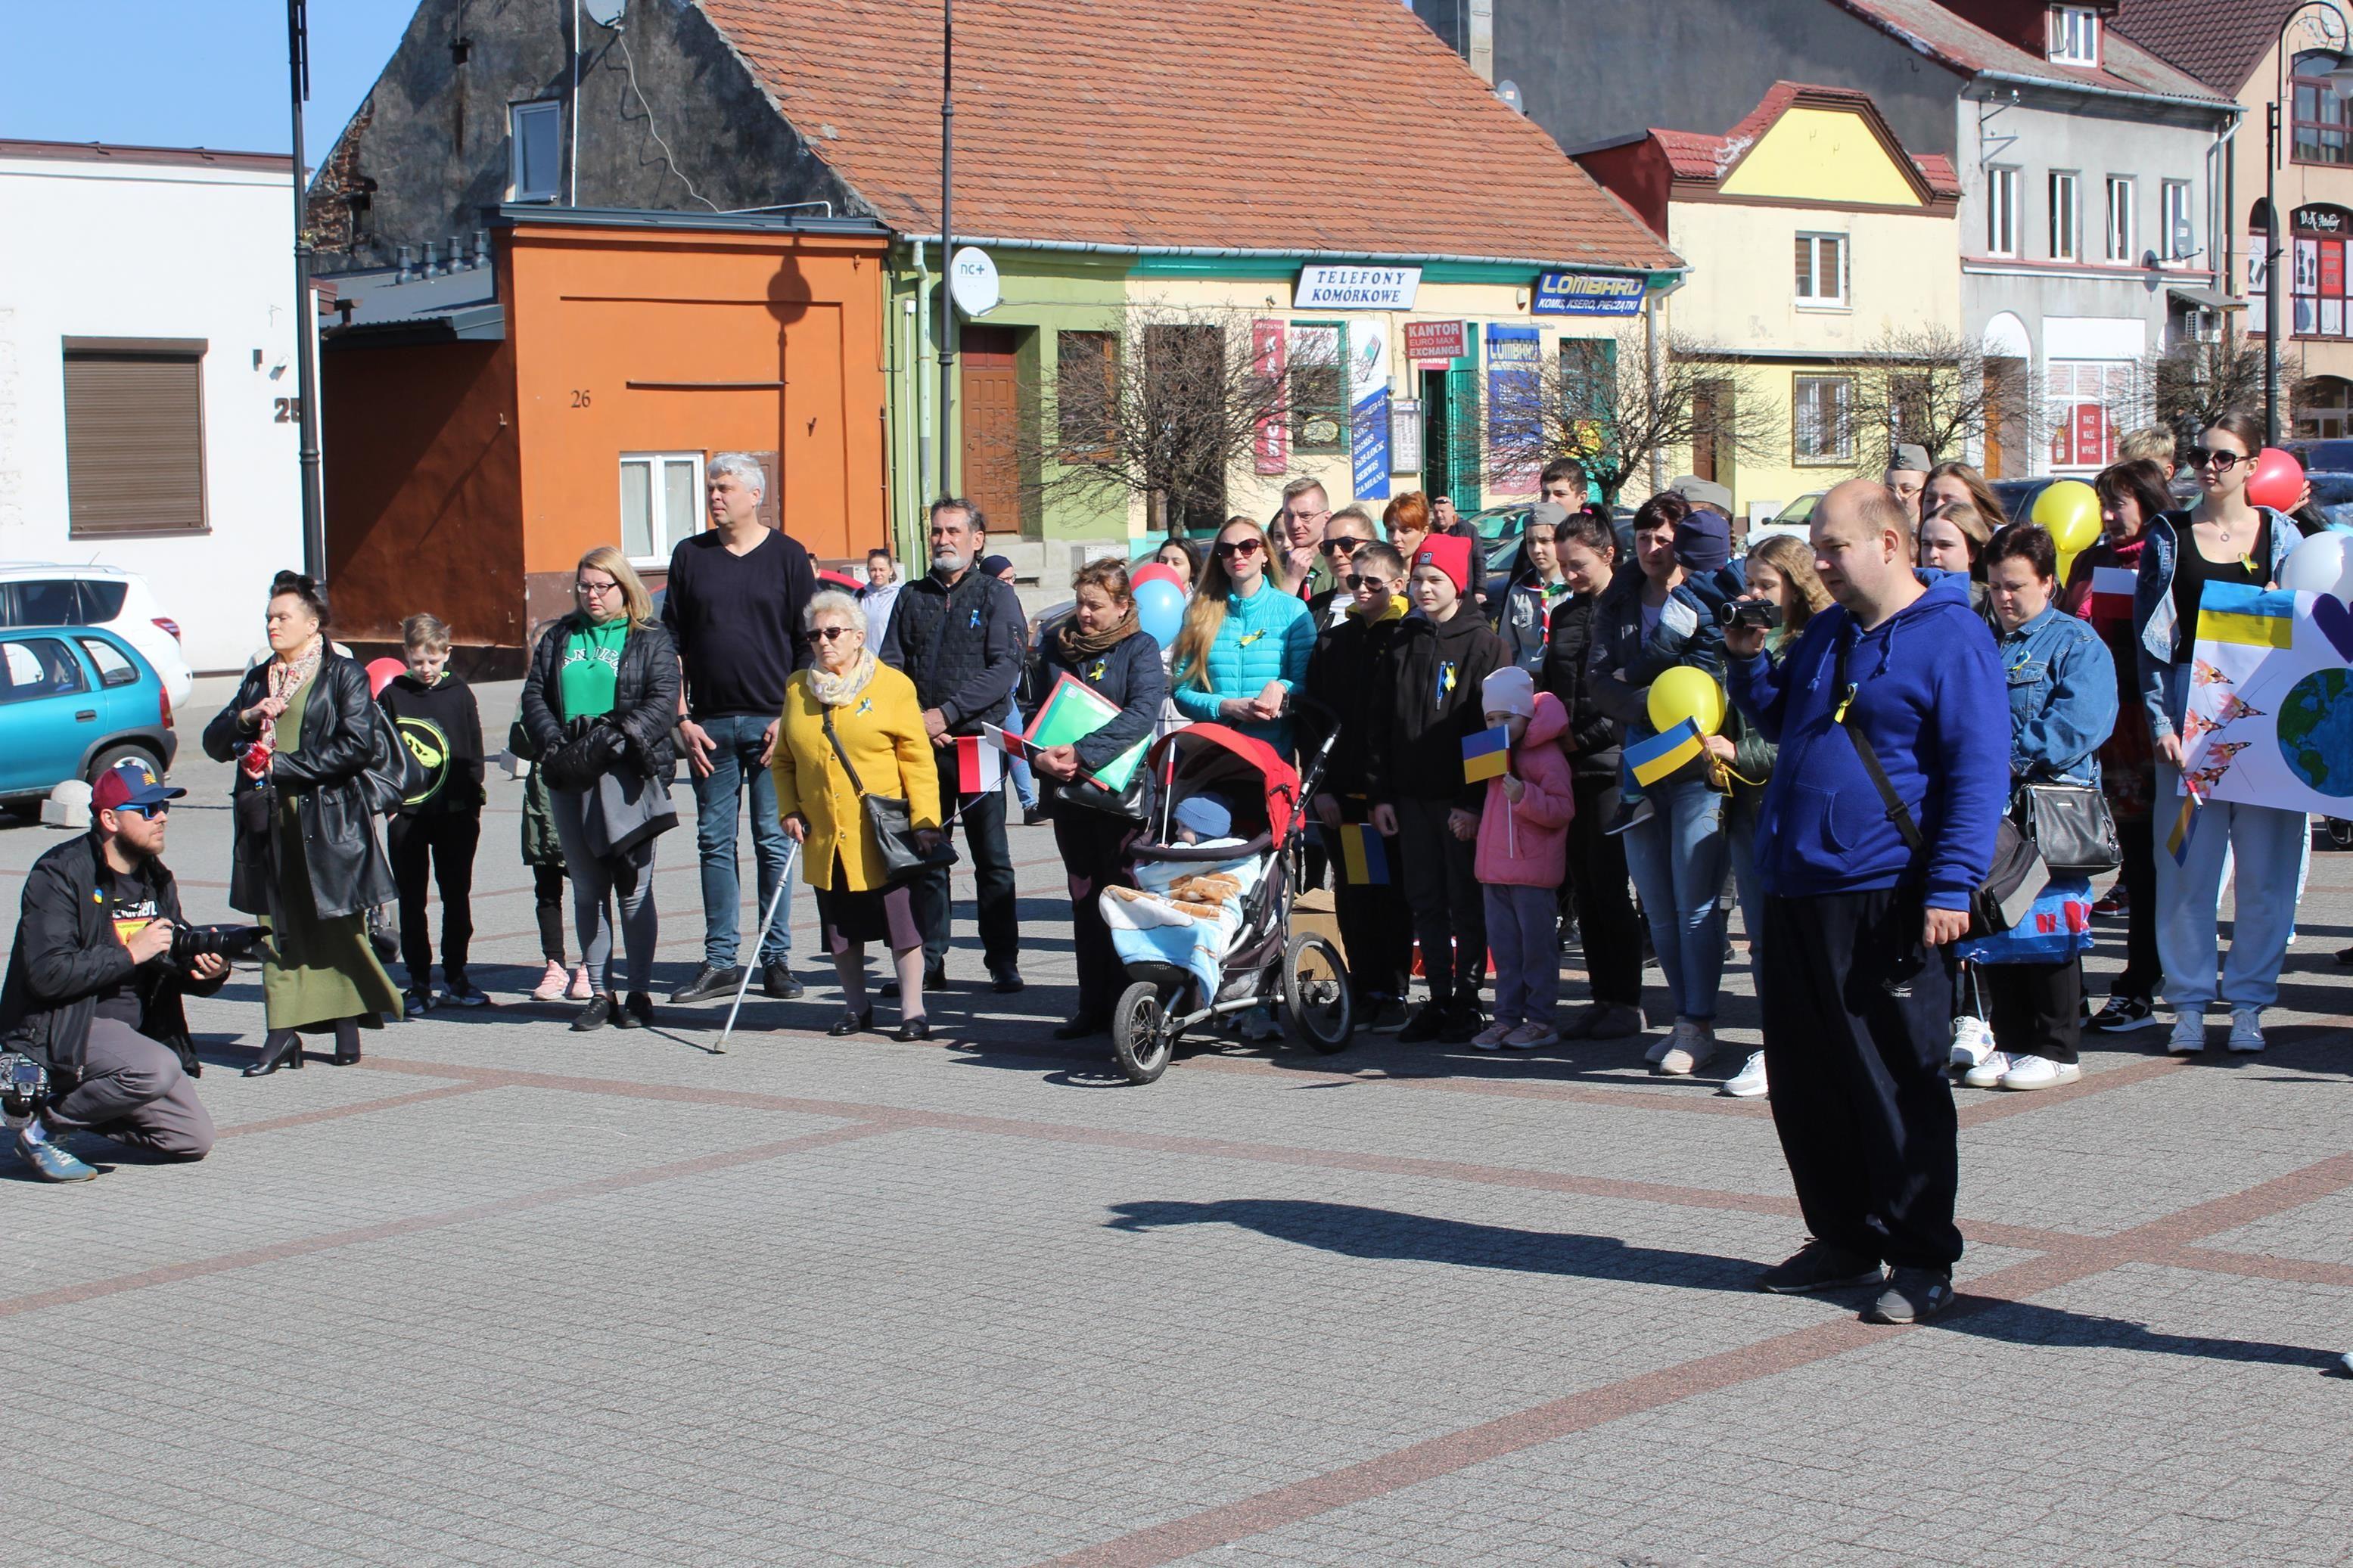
[187, 72]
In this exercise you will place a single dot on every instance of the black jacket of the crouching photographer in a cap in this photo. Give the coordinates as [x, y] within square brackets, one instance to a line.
[67, 953]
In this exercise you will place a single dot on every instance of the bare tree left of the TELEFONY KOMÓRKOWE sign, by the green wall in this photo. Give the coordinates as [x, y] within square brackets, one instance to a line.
[1164, 410]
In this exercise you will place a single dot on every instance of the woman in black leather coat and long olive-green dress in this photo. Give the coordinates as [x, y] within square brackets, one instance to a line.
[307, 857]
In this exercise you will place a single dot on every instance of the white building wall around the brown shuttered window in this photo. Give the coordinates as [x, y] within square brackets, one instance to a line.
[112, 248]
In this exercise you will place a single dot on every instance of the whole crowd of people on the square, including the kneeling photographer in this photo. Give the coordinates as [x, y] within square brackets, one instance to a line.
[1825, 735]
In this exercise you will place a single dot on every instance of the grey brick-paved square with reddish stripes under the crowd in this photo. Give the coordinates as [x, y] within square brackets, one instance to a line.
[514, 1294]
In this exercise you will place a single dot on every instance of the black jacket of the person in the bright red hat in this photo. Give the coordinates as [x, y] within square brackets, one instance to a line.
[1427, 702]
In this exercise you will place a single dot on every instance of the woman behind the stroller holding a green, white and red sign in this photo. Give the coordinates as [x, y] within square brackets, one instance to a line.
[1102, 650]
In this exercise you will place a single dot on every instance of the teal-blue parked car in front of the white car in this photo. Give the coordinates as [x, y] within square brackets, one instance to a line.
[76, 702]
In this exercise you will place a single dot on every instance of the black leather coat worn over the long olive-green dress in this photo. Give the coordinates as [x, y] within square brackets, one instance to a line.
[324, 777]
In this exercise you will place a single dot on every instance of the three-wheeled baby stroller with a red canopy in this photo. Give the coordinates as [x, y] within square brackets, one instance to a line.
[1262, 963]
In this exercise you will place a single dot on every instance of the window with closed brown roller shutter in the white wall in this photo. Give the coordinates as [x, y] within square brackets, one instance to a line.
[135, 436]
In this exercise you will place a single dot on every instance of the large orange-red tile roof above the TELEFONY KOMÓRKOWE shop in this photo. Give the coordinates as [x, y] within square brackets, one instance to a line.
[1314, 126]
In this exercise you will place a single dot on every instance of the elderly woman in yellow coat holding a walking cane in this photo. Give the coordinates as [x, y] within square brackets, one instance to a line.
[879, 725]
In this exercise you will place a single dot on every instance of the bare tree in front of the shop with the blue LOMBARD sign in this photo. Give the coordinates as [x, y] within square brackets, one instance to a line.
[1599, 406]
